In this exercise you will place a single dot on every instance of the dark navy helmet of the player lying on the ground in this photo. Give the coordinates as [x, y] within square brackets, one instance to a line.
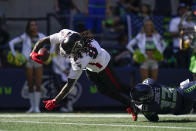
[142, 93]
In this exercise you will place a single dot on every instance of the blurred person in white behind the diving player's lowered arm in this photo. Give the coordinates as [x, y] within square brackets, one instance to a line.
[61, 67]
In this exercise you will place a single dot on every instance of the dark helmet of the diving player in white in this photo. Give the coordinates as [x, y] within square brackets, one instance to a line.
[72, 44]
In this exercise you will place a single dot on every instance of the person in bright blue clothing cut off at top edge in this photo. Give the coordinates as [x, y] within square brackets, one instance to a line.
[96, 12]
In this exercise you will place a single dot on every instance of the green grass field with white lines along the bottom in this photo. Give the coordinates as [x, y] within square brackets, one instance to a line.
[92, 122]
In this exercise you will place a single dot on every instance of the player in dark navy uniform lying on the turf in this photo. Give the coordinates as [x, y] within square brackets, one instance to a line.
[151, 98]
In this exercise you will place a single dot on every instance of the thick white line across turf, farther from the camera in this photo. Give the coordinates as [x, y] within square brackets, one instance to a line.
[90, 115]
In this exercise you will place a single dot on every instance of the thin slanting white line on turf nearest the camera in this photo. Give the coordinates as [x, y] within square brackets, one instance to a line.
[109, 125]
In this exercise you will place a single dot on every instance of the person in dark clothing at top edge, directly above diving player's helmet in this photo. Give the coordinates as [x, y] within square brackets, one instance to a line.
[63, 10]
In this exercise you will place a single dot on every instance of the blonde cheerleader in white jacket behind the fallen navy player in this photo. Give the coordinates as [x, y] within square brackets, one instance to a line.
[148, 41]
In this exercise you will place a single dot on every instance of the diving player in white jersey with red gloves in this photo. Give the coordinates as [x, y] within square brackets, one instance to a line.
[84, 53]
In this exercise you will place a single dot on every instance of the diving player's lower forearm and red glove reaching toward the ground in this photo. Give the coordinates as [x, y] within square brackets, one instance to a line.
[51, 104]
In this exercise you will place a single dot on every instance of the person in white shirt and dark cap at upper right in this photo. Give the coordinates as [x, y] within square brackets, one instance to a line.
[175, 24]
